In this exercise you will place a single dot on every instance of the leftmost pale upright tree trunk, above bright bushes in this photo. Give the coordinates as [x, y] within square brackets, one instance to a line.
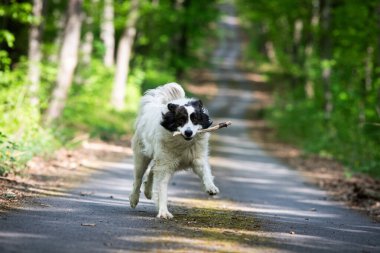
[34, 53]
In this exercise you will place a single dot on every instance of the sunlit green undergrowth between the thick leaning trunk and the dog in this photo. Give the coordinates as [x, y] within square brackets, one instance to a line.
[88, 109]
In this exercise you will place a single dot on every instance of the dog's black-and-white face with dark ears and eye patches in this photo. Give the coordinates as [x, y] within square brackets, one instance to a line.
[187, 119]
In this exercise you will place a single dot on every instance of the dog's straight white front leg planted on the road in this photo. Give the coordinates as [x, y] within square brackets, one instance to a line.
[161, 180]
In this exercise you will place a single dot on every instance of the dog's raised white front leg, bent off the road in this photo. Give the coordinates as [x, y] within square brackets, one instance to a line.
[203, 170]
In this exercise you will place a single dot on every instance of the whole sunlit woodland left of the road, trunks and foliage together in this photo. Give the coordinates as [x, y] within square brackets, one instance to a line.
[77, 68]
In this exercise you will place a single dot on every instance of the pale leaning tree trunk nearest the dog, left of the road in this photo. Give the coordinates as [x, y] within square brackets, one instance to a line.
[123, 58]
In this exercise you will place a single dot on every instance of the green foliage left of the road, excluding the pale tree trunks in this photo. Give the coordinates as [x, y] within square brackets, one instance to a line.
[169, 38]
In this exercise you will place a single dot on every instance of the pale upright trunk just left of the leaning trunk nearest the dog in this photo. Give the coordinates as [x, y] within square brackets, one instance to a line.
[108, 33]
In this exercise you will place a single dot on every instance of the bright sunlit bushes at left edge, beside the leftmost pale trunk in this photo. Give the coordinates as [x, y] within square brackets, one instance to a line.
[22, 135]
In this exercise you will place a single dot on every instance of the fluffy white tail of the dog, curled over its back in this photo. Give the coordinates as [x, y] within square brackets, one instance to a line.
[163, 94]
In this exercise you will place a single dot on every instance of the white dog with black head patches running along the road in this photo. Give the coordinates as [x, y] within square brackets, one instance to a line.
[163, 111]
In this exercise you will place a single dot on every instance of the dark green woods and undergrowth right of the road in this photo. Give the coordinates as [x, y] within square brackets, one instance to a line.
[323, 58]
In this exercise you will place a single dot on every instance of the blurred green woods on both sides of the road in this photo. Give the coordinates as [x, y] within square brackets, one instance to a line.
[75, 69]
